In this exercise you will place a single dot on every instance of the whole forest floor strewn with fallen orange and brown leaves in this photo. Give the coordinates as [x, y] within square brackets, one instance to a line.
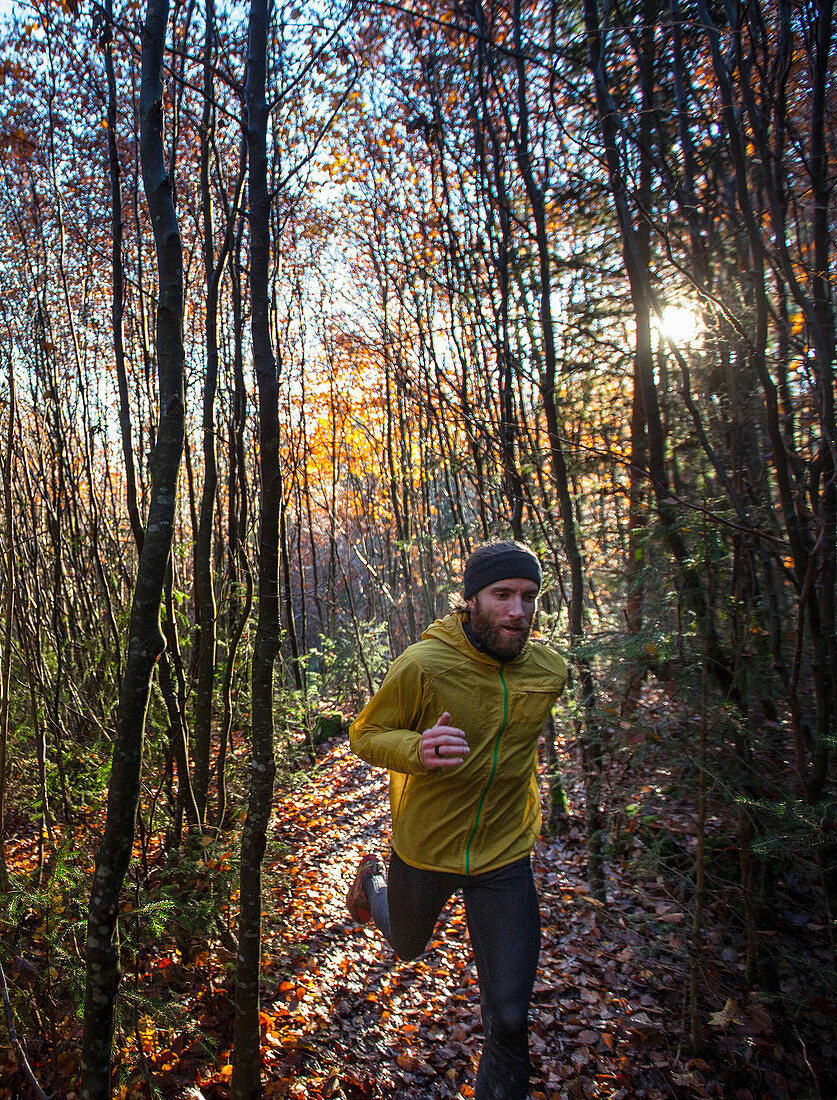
[343, 1018]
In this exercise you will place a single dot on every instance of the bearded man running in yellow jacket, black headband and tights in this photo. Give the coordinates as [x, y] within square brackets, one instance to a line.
[457, 723]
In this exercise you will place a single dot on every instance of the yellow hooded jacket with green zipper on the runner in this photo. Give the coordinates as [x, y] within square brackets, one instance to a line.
[486, 812]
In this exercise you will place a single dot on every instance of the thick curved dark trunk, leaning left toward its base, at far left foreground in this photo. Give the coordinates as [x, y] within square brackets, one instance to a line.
[146, 641]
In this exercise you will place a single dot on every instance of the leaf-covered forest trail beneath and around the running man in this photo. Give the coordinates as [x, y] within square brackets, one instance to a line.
[349, 1020]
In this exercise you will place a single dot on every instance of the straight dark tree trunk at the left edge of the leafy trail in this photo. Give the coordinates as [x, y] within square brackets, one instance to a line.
[247, 1058]
